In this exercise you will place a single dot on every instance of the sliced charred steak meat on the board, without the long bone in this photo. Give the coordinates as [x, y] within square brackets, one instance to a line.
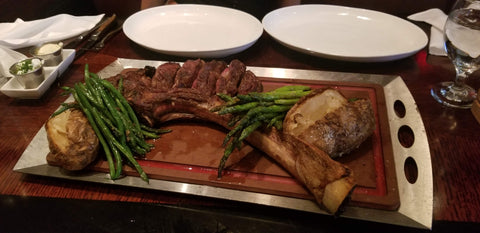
[185, 91]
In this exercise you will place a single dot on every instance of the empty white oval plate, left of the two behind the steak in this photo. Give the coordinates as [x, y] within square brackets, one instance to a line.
[190, 30]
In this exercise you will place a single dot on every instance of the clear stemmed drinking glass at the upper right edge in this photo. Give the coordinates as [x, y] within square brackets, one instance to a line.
[462, 43]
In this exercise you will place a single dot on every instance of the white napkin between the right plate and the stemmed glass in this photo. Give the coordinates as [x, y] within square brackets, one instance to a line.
[437, 19]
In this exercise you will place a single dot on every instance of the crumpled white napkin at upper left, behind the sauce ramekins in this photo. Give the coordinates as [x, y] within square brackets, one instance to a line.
[20, 34]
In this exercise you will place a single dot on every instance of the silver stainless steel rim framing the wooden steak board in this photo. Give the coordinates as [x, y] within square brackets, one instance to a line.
[413, 195]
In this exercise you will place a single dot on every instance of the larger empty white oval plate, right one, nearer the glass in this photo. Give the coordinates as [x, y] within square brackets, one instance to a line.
[344, 33]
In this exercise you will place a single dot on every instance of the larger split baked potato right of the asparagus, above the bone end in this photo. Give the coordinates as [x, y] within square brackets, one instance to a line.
[327, 120]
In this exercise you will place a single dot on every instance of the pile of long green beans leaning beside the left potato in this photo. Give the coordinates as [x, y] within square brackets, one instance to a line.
[117, 127]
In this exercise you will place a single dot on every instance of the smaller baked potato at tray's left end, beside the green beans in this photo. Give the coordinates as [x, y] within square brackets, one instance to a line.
[72, 142]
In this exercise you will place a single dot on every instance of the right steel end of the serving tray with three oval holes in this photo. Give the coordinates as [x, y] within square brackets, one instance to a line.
[416, 199]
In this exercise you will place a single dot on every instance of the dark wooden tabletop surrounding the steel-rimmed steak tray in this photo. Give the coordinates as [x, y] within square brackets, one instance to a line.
[453, 137]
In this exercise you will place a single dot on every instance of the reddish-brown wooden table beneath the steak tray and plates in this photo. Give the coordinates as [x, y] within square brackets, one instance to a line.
[453, 137]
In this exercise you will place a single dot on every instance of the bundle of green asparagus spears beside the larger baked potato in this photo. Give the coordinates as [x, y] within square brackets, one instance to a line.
[256, 110]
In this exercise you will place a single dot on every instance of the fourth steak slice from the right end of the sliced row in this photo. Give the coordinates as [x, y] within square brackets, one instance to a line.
[188, 73]
